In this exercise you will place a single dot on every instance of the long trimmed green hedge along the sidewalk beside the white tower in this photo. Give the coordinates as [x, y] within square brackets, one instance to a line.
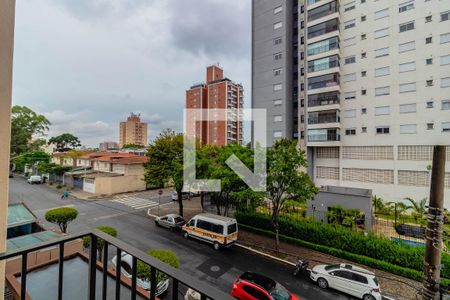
[370, 250]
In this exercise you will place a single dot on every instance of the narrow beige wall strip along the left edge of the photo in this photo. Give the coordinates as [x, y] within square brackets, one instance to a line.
[6, 62]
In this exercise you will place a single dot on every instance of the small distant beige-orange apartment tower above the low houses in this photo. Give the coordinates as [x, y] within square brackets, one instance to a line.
[133, 131]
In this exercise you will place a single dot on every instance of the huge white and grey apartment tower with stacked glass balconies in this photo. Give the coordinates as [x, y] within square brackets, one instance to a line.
[366, 84]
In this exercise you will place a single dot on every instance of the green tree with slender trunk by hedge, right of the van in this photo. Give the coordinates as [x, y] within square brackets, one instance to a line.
[286, 179]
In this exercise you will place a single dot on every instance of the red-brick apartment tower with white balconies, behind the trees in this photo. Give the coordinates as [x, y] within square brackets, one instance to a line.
[221, 93]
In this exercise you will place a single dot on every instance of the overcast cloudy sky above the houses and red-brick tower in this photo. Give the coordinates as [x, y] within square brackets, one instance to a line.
[86, 64]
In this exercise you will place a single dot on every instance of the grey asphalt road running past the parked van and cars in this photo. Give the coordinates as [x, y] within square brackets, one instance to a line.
[218, 268]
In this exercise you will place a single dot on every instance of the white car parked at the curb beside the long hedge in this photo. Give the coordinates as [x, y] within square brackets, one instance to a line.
[349, 279]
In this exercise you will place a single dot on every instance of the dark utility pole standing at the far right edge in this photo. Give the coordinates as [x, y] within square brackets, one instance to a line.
[433, 234]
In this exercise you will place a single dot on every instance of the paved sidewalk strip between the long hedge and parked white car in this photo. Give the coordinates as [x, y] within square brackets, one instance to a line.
[392, 285]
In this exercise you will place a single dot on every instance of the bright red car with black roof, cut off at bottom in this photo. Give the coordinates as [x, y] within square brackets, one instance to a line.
[252, 286]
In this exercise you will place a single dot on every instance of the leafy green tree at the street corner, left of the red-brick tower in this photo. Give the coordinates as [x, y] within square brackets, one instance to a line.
[165, 163]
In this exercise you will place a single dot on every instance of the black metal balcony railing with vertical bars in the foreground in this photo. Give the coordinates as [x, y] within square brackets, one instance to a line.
[178, 277]
